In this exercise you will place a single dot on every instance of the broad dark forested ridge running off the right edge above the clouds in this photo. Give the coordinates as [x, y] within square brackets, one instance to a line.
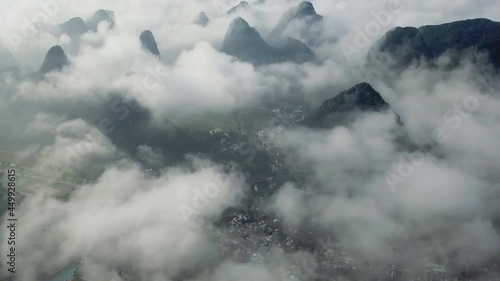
[405, 45]
